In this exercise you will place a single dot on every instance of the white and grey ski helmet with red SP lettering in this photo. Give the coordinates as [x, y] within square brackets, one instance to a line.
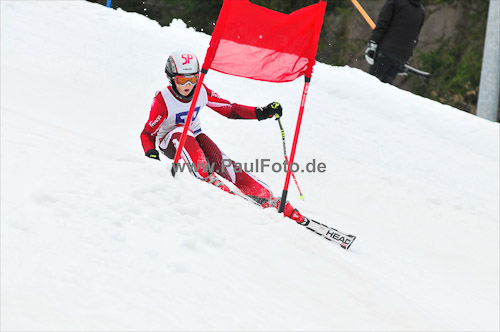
[181, 62]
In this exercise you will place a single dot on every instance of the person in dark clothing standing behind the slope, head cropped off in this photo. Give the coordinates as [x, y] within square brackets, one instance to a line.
[395, 36]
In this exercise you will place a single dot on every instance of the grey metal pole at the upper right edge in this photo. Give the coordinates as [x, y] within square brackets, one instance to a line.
[489, 86]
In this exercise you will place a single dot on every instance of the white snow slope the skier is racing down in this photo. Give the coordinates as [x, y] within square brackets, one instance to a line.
[94, 236]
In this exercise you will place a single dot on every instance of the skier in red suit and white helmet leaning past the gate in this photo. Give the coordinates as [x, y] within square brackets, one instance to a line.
[166, 123]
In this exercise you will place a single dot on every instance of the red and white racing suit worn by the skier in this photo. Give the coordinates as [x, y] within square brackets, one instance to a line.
[166, 123]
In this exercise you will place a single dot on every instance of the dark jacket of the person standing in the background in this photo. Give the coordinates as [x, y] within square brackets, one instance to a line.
[398, 27]
